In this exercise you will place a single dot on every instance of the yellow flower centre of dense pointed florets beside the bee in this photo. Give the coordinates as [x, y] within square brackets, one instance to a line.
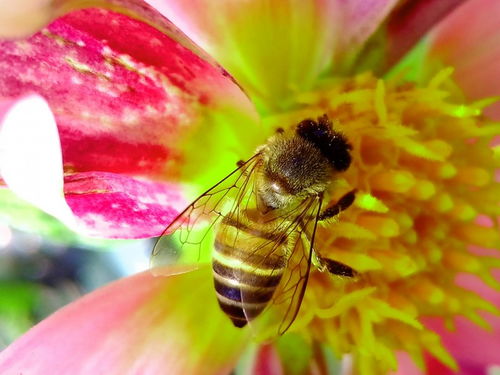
[424, 168]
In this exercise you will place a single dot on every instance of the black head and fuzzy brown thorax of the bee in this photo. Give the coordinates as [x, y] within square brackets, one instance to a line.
[301, 163]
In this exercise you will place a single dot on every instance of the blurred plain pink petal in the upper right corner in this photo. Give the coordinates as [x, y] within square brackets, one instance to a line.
[469, 40]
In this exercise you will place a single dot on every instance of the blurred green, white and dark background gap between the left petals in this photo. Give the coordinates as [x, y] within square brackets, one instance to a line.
[44, 266]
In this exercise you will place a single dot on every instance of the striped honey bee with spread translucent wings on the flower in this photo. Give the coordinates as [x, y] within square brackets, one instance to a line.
[264, 217]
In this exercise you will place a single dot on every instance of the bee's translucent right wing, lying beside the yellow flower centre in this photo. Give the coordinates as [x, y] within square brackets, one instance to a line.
[287, 298]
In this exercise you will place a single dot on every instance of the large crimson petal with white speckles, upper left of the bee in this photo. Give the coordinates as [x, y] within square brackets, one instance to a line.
[126, 95]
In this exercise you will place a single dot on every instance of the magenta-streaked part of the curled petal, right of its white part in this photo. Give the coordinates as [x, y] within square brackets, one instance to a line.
[115, 206]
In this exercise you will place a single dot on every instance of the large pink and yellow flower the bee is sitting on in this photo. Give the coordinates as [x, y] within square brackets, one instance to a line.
[423, 165]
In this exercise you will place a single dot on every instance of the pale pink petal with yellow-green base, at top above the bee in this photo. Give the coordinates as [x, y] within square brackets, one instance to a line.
[273, 48]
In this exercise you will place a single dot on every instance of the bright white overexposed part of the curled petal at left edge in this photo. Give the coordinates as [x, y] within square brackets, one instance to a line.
[31, 159]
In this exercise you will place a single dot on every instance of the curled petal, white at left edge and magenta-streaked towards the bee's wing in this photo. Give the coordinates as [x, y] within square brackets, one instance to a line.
[107, 205]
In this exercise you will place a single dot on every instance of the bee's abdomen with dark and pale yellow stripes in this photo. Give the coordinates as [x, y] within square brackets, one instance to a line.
[248, 265]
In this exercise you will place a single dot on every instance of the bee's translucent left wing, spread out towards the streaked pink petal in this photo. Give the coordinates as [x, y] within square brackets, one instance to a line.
[188, 239]
